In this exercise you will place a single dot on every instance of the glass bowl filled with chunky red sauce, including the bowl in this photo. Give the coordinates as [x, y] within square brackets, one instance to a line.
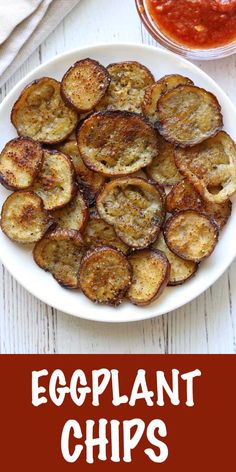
[196, 29]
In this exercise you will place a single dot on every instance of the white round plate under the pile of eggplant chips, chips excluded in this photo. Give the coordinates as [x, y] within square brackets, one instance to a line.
[18, 260]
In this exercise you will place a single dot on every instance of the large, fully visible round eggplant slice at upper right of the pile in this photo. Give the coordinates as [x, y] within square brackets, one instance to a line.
[188, 115]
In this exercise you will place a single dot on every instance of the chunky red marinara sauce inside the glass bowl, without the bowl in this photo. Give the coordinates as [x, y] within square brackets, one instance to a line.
[196, 23]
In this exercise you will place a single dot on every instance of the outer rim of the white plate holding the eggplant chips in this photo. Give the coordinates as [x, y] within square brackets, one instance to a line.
[135, 316]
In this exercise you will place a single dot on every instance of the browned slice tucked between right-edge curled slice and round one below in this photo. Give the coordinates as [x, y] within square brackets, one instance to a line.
[183, 196]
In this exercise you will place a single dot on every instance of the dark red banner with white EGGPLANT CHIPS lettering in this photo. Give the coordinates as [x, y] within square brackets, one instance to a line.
[87, 412]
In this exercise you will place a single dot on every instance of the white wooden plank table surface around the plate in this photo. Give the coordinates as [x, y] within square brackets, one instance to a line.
[207, 325]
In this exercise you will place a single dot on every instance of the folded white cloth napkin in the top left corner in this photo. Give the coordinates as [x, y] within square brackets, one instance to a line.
[24, 24]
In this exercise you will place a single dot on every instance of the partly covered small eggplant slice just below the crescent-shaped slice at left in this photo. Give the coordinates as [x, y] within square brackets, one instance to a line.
[74, 215]
